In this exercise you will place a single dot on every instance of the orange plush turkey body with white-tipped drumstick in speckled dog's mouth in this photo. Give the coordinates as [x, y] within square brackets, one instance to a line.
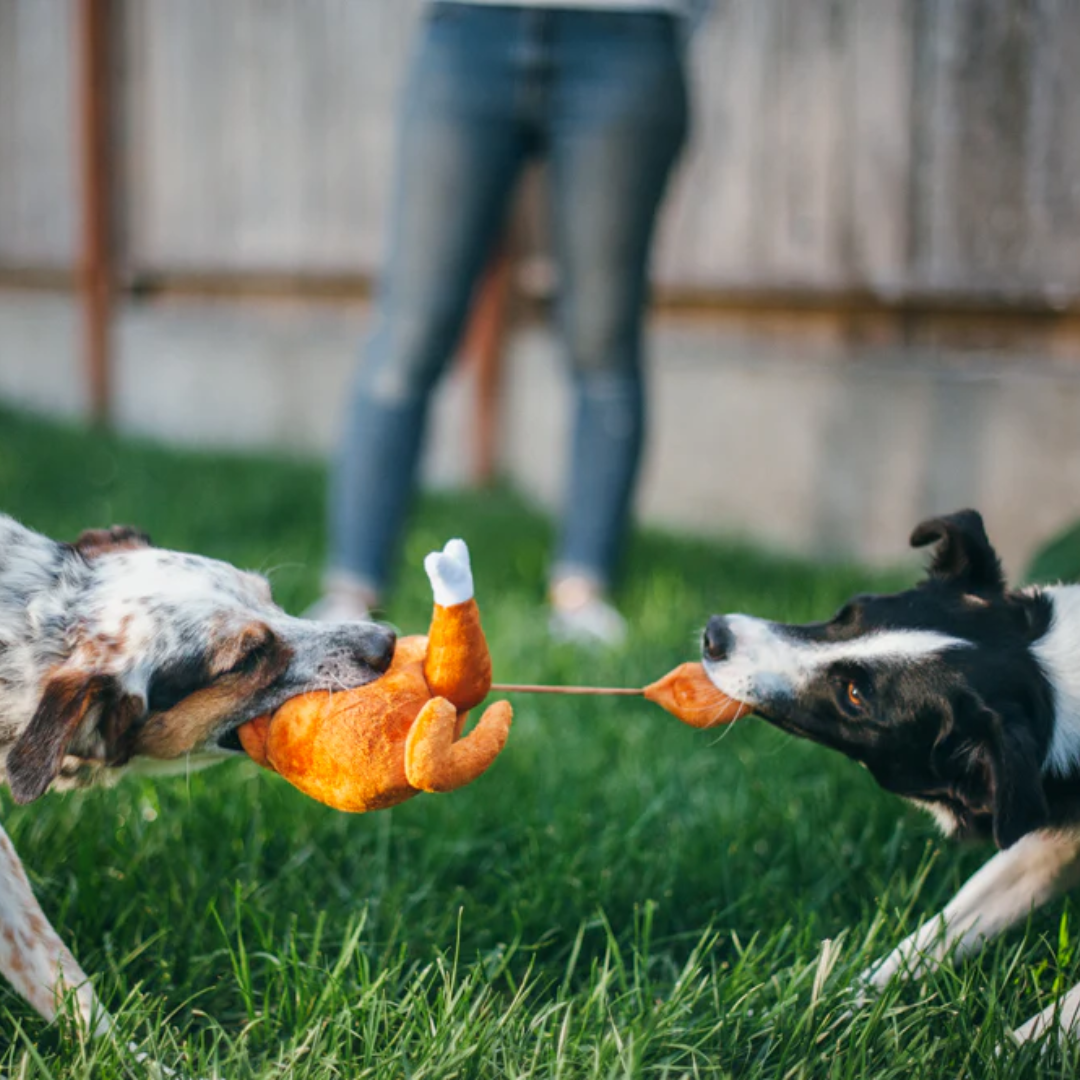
[381, 744]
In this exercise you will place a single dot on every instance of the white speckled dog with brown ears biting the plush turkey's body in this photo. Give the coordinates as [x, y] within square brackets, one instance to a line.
[117, 655]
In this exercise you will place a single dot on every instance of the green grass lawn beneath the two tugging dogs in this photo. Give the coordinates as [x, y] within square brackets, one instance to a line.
[619, 897]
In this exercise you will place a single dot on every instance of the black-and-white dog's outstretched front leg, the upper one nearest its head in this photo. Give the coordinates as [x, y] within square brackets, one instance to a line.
[1035, 870]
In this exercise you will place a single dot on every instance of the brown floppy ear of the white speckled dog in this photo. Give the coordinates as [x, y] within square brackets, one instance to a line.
[36, 759]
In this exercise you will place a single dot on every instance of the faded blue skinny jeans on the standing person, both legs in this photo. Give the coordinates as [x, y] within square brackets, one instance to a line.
[602, 98]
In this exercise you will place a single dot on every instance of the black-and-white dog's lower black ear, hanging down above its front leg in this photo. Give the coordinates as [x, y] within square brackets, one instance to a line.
[978, 736]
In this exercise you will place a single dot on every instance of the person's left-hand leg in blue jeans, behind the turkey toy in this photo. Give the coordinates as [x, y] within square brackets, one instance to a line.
[462, 146]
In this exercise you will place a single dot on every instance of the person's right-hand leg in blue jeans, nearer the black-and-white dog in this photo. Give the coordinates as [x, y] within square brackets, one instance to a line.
[618, 120]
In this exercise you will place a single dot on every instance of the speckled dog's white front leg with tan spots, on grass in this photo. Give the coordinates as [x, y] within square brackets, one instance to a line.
[33, 957]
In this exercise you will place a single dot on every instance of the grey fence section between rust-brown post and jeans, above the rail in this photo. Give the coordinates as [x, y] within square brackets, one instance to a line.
[262, 132]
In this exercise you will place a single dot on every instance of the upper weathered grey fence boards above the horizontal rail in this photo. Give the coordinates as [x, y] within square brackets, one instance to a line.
[897, 147]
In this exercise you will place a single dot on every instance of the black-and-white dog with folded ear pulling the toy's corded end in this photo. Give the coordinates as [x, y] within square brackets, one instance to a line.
[960, 695]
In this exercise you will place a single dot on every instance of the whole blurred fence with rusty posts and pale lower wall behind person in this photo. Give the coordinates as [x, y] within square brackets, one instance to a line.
[868, 286]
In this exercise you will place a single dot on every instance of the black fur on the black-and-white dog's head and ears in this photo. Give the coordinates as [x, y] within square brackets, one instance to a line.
[968, 728]
